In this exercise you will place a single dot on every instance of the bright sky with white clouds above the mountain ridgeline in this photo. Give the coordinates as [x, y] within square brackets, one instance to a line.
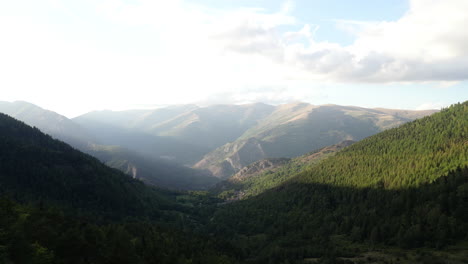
[77, 56]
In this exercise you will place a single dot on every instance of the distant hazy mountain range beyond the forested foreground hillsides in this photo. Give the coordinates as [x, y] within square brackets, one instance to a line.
[158, 145]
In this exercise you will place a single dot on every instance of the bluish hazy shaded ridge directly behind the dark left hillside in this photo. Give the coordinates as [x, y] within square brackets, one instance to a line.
[153, 171]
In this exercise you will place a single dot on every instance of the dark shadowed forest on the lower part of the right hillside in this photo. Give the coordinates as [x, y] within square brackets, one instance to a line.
[299, 220]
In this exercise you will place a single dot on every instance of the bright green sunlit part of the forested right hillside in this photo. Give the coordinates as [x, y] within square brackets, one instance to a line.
[415, 153]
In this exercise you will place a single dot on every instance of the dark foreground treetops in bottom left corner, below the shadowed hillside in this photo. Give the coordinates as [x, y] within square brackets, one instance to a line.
[38, 235]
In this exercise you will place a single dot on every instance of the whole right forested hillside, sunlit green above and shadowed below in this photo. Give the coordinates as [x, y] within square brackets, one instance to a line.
[406, 187]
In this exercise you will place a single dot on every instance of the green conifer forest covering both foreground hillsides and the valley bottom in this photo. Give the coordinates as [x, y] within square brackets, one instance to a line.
[403, 189]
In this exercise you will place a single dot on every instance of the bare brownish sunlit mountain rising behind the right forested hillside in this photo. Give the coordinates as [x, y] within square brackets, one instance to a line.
[294, 129]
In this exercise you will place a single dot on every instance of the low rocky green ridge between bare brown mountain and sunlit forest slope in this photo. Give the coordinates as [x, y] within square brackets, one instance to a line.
[269, 173]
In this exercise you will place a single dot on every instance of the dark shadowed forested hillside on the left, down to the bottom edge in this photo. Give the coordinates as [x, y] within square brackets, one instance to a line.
[58, 205]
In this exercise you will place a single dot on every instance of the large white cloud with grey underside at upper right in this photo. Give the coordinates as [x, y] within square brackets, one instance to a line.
[427, 44]
